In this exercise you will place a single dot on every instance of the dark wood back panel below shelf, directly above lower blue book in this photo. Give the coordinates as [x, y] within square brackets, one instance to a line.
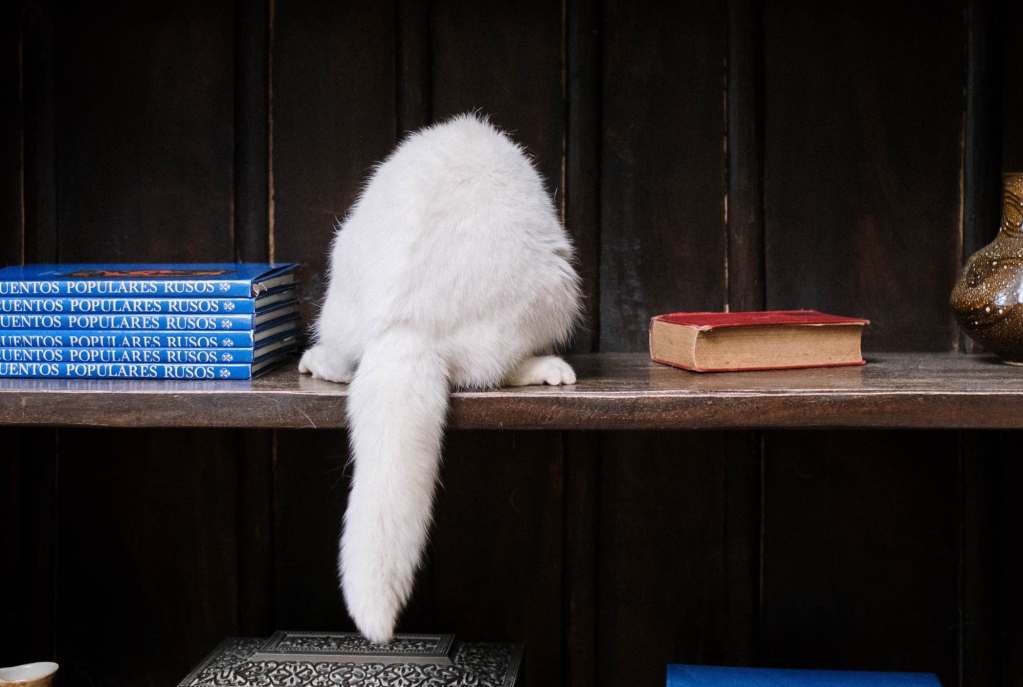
[862, 553]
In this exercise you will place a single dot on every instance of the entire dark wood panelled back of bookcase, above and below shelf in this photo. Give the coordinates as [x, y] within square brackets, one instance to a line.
[843, 156]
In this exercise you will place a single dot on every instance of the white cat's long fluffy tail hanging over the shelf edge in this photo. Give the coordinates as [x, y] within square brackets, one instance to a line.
[397, 405]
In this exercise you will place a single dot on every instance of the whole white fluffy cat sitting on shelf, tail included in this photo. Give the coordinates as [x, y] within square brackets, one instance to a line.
[452, 269]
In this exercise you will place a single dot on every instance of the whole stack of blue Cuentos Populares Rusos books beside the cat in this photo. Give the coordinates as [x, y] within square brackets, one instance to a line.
[192, 322]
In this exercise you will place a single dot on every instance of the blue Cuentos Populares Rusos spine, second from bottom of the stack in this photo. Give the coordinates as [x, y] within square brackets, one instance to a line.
[166, 356]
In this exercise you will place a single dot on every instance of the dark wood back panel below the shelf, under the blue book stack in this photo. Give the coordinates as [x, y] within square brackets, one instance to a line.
[148, 554]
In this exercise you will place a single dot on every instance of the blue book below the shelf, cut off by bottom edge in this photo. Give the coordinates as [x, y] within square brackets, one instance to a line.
[714, 676]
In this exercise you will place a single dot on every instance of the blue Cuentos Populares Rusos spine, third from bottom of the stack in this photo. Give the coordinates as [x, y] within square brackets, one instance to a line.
[93, 339]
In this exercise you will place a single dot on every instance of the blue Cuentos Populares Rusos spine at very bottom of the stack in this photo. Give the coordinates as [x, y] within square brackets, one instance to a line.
[123, 372]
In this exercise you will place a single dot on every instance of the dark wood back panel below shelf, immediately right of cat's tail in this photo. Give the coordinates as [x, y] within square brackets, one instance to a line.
[496, 553]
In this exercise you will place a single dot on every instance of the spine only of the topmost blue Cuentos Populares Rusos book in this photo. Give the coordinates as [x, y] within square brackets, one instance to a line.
[130, 288]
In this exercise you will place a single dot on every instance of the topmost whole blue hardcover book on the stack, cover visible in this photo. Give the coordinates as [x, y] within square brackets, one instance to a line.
[225, 281]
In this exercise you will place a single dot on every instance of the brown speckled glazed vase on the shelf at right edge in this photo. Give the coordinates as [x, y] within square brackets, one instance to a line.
[989, 299]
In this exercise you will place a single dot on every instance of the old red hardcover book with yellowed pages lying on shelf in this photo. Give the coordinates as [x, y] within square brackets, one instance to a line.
[771, 340]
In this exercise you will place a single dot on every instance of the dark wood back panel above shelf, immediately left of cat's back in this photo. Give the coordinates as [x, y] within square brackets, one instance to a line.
[334, 116]
